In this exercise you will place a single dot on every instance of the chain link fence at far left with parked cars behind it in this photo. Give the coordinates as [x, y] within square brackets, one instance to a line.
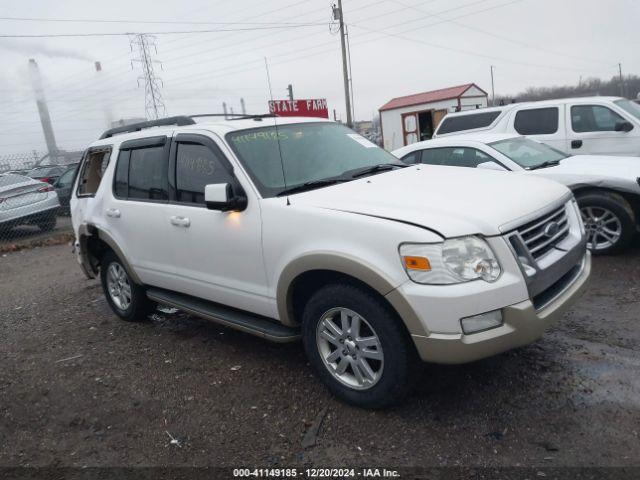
[35, 189]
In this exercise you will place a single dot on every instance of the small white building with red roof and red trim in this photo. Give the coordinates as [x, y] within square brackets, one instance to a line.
[414, 118]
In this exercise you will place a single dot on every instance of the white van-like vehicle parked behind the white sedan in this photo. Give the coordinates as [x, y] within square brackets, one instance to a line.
[576, 126]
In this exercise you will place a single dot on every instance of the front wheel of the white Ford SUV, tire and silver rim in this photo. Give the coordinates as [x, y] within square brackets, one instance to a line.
[393, 374]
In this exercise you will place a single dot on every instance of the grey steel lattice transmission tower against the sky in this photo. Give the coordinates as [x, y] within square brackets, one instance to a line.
[143, 44]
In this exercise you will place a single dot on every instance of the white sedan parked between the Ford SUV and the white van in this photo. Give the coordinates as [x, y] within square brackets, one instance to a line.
[607, 188]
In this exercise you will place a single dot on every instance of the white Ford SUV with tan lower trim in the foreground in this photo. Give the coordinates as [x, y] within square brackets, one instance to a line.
[290, 228]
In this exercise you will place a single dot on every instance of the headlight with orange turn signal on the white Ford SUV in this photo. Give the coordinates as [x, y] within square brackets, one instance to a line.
[455, 260]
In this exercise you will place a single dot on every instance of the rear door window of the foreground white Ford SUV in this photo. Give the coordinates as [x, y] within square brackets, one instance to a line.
[148, 174]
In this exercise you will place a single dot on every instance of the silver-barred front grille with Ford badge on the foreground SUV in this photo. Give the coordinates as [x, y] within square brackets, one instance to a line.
[544, 233]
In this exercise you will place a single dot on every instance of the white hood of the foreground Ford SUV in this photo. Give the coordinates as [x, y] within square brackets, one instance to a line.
[452, 201]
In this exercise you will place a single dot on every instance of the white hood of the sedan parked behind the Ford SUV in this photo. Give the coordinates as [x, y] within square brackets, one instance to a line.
[596, 170]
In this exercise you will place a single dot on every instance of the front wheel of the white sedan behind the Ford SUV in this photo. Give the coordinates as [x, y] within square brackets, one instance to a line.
[603, 213]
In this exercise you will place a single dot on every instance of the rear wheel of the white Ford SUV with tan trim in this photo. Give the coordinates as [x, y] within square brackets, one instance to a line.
[135, 307]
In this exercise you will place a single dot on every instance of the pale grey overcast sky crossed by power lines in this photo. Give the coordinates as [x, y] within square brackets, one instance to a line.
[398, 47]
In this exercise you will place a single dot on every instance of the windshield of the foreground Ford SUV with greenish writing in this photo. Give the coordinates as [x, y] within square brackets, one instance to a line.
[311, 152]
